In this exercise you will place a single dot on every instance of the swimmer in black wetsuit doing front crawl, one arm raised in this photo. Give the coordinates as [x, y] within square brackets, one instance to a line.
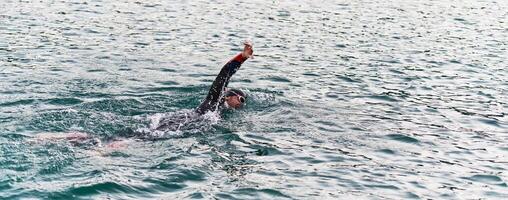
[218, 97]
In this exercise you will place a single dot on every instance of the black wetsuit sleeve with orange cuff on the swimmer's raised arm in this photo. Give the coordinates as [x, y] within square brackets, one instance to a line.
[214, 96]
